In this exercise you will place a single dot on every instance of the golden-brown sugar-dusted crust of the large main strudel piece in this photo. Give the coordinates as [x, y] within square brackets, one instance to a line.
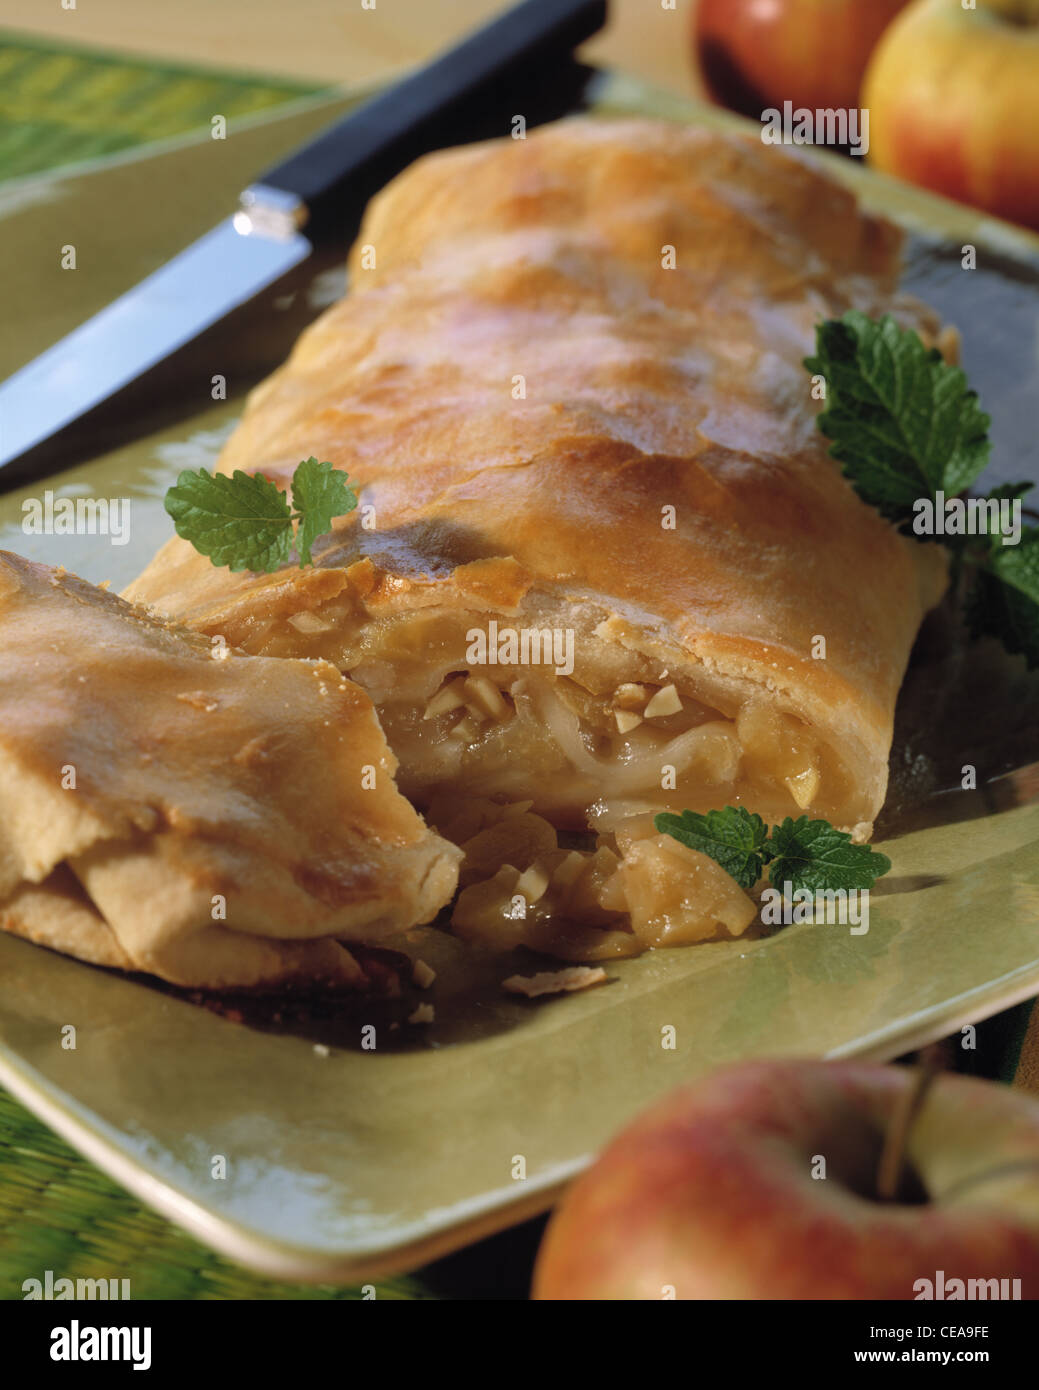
[561, 338]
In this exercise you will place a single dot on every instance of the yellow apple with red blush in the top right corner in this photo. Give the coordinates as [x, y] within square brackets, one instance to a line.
[953, 101]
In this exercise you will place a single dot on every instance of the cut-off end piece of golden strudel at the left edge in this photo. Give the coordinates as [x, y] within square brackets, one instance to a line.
[145, 782]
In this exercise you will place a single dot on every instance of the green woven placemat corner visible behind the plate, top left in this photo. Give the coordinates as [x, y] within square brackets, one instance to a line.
[66, 105]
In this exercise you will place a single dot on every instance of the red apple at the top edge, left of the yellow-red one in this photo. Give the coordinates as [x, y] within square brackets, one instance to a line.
[759, 54]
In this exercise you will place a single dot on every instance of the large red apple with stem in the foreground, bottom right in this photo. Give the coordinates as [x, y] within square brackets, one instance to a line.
[711, 1193]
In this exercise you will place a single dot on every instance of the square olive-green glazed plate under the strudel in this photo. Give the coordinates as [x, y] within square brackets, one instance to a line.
[360, 1163]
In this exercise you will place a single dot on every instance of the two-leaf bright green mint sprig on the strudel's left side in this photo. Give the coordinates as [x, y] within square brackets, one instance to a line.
[245, 522]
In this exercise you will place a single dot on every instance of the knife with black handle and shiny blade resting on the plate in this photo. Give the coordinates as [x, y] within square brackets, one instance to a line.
[83, 395]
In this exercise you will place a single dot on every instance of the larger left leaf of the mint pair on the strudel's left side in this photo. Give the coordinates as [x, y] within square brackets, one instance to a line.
[241, 522]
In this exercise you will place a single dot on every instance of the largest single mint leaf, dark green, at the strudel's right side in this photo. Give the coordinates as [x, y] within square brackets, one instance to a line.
[902, 422]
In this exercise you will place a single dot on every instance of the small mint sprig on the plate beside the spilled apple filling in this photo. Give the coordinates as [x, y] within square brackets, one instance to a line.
[807, 854]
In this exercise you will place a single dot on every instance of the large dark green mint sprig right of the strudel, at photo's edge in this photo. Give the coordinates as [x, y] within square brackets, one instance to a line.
[906, 426]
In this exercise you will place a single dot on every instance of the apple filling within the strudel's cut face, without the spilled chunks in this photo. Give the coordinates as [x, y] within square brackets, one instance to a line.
[607, 732]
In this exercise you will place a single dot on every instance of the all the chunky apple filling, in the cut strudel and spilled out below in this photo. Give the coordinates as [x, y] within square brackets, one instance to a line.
[506, 755]
